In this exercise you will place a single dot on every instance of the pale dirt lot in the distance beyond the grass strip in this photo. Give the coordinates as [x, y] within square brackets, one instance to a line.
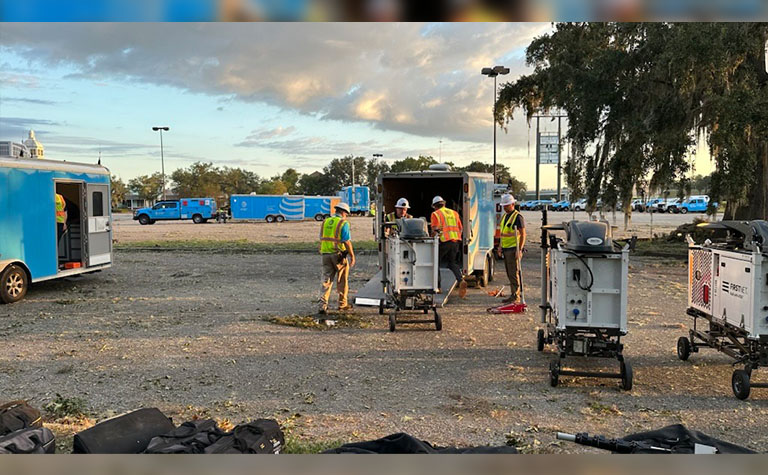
[126, 230]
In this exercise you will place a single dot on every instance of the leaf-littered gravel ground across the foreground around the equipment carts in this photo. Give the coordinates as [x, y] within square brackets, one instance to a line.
[185, 332]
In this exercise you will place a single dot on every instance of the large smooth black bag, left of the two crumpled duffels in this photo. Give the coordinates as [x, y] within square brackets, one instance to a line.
[126, 434]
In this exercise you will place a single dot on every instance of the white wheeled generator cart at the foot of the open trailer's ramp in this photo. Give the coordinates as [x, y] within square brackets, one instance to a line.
[410, 275]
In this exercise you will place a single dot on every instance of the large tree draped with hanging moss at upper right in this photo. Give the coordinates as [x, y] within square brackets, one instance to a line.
[636, 96]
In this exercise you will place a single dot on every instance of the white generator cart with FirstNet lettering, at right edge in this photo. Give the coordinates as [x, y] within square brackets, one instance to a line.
[728, 298]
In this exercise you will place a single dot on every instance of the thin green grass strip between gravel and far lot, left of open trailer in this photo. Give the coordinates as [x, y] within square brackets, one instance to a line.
[239, 245]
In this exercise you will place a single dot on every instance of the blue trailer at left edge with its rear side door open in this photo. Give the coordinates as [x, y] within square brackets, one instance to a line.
[32, 249]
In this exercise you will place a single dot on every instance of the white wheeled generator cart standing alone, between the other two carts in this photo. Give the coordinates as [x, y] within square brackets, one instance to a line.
[584, 297]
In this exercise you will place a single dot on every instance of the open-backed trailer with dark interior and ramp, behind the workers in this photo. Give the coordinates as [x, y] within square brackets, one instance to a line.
[470, 194]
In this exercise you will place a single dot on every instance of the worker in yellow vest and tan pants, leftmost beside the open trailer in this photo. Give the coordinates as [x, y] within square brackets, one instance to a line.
[335, 247]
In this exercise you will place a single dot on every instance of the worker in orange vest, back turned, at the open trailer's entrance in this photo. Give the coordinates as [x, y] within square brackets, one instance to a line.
[446, 223]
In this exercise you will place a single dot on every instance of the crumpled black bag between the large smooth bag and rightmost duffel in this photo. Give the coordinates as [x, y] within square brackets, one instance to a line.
[191, 437]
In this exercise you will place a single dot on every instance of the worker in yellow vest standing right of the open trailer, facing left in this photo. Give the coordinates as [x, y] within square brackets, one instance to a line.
[512, 232]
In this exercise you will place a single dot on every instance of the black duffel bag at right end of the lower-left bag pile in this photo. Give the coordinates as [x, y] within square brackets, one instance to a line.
[262, 436]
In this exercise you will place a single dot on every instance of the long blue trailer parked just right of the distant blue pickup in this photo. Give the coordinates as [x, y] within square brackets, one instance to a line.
[269, 208]
